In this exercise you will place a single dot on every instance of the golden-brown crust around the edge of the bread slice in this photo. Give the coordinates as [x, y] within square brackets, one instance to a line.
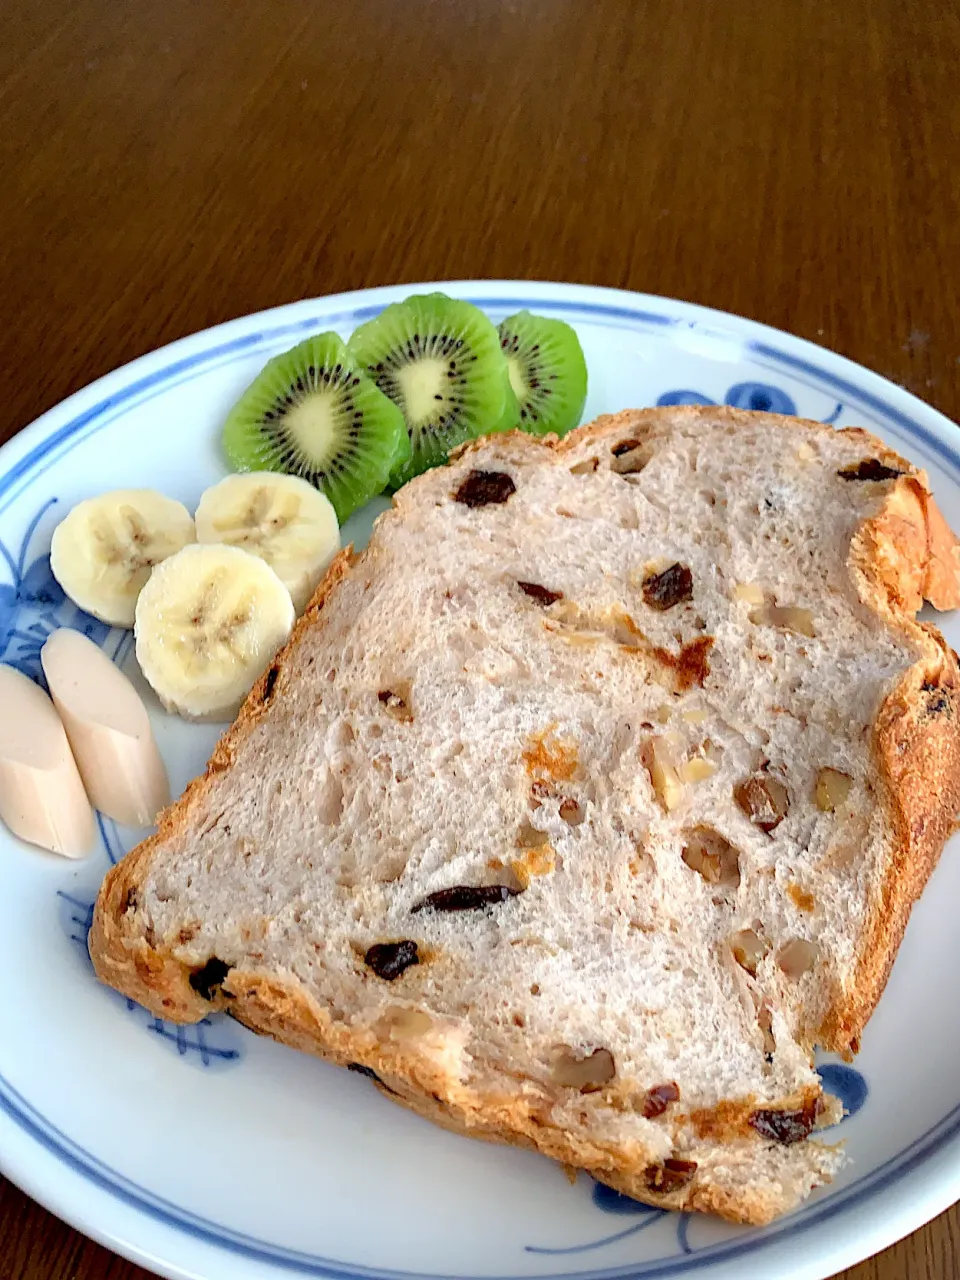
[903, 554]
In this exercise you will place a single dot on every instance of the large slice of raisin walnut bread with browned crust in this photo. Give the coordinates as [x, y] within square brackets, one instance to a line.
[587, 801]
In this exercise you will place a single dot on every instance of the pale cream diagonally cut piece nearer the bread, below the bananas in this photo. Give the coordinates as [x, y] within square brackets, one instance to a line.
[108, 729]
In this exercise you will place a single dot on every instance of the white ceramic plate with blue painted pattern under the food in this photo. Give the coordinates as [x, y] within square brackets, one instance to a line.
[209, 1154]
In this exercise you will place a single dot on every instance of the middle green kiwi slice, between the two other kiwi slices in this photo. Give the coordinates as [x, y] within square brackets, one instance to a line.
[440, 360]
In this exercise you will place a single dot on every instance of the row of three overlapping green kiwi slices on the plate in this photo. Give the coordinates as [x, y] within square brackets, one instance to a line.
[319, 412]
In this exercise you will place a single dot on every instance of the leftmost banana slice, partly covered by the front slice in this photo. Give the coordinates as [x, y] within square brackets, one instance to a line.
[106, 550]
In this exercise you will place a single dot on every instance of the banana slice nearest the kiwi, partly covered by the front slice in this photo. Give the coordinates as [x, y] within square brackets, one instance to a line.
[281, 519]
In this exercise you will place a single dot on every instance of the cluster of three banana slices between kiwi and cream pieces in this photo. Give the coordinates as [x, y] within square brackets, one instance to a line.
[209, 625]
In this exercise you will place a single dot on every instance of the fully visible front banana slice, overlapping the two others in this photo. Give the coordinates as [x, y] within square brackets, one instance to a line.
[209, 621]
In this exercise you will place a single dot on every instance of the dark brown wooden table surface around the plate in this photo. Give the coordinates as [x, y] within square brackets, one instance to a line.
[170, 164]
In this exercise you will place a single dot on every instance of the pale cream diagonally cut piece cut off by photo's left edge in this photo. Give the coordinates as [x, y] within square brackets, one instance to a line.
[42, 793]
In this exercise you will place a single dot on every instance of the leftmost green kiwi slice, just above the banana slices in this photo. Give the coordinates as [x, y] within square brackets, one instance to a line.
[314, 414]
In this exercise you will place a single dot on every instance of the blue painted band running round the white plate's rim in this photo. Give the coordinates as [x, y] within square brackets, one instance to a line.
[88, 1165]
